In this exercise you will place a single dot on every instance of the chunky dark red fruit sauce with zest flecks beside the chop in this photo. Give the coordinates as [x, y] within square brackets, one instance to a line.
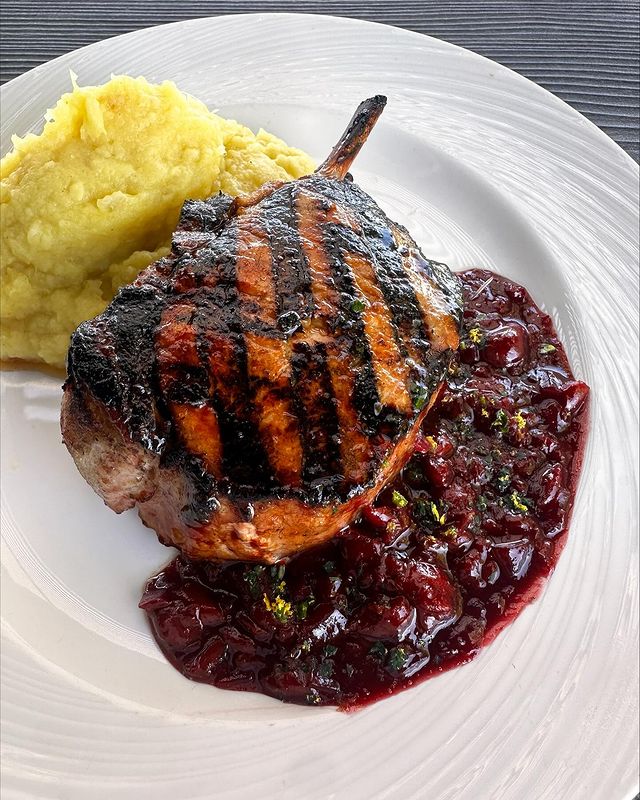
[443, 560]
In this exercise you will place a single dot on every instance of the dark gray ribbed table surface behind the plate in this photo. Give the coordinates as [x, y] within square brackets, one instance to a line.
[587, 53]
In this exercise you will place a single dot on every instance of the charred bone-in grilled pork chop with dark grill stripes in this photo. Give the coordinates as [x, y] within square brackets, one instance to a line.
[251, 392]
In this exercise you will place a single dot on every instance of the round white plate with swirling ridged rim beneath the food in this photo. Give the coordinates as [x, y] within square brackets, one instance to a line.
[485, 168]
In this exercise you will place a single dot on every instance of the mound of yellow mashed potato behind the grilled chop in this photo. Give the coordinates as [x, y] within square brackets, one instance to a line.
[95, 197]
